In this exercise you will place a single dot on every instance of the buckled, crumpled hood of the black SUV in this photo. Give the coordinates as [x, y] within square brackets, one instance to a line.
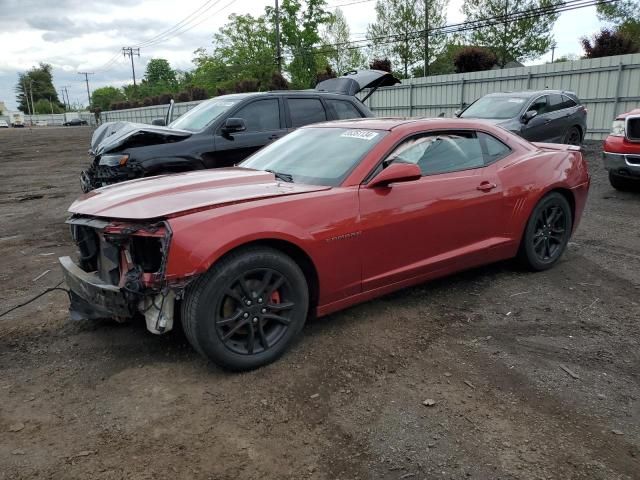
[116, 135]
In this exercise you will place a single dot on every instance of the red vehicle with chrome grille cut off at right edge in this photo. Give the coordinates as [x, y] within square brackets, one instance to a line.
[621, 151]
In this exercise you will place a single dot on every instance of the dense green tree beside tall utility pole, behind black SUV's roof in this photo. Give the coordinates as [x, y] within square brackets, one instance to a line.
[300, 23]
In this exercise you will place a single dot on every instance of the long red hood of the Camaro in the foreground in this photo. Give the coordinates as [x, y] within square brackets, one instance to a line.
[170, 195]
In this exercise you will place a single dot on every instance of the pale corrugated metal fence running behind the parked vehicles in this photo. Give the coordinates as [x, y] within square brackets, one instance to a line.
[607, 86]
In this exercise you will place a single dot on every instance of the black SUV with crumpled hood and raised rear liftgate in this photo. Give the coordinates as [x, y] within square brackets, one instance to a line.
[222, 131]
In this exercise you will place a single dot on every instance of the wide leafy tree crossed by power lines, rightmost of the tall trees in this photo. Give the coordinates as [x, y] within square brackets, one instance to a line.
[512, 38]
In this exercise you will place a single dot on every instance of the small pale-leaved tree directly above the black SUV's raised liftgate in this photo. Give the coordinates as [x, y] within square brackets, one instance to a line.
[336, 36]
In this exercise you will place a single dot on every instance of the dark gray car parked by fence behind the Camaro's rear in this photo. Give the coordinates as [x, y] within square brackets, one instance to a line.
[552, 116]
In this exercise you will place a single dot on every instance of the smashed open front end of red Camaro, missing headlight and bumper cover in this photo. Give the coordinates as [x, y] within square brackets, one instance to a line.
[120, 272]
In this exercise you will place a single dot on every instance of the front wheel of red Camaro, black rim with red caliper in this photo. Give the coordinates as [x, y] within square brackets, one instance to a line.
[248, 309]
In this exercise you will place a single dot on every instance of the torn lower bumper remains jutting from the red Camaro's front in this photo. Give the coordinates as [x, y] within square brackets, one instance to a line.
[91, 297]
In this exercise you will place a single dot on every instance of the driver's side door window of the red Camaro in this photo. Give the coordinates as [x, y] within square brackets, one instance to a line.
[440, 152]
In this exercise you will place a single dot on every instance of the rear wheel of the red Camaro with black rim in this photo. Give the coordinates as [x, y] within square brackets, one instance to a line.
[547, 232]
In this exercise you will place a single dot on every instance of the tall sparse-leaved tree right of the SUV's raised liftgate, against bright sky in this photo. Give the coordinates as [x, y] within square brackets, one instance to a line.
[406, 31]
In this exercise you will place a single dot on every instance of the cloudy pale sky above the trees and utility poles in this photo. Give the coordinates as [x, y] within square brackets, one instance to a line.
[88, 35]
